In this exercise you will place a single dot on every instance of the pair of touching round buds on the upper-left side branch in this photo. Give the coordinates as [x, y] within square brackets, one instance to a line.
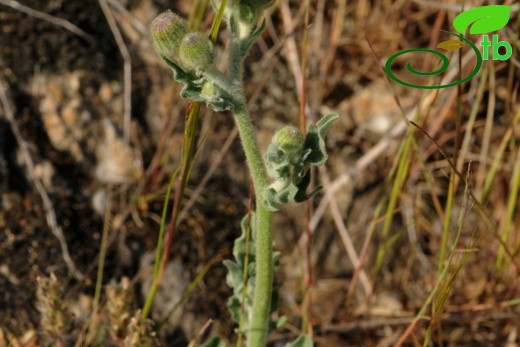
[172, 40]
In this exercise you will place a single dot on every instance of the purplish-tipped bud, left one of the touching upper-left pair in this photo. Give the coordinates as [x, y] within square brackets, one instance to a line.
[168, 30]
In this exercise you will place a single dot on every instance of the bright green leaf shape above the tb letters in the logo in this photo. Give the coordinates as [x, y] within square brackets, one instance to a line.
[485, 19]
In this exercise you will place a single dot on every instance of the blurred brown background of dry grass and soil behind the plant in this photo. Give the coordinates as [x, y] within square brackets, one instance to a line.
[402, 248]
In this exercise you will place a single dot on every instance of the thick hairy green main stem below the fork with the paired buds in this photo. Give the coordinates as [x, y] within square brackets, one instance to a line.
[257, 336]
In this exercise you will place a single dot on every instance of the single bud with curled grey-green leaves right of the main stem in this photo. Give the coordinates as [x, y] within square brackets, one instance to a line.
[288, 159]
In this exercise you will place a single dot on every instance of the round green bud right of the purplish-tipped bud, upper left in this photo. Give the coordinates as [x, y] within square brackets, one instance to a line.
[196, 51]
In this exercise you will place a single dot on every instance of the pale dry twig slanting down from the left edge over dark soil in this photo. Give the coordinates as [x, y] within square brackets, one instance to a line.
[50, 214]
